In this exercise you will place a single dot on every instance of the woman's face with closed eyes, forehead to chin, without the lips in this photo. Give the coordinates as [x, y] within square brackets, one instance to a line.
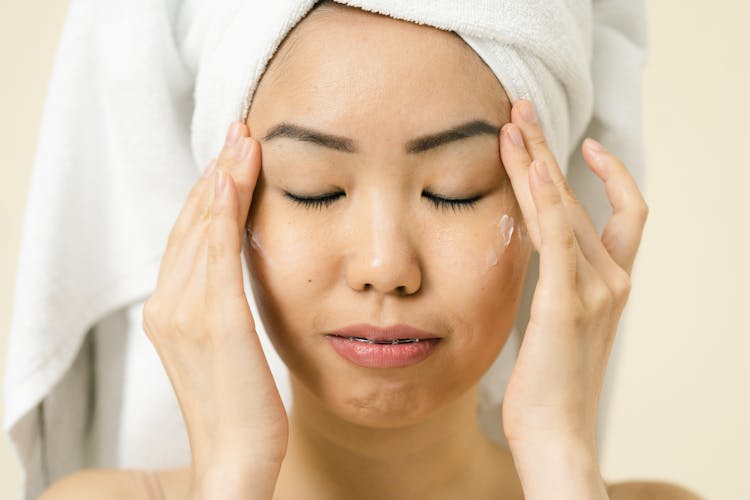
[383, 248]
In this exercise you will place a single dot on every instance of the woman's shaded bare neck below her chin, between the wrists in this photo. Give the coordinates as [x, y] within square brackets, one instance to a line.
[329, 457]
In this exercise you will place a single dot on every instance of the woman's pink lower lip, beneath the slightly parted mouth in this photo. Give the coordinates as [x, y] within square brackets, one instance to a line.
[383, 355]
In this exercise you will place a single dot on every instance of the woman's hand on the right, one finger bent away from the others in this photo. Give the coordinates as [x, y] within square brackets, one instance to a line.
[584, 283]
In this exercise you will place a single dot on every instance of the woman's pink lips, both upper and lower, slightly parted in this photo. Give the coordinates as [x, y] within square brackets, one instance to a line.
[371, 355]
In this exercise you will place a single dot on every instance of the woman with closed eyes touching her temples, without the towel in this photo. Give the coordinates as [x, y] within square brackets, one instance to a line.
[387, 250]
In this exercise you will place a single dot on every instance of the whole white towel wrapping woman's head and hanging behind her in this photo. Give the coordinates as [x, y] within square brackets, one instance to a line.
[140, 97]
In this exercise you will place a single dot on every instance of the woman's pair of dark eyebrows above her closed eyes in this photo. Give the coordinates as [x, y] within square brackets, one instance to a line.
[415, 146]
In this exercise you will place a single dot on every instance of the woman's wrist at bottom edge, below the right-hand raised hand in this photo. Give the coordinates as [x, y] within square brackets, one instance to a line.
[558, 467]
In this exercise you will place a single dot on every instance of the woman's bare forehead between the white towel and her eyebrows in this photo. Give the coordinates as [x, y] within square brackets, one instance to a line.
[343, 63]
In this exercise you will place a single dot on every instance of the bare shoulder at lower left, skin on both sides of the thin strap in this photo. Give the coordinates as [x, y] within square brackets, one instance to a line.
[116, 484]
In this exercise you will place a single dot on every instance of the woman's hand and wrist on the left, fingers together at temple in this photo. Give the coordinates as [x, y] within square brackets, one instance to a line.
[200, 323]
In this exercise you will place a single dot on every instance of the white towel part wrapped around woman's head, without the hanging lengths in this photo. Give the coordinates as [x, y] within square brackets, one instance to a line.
[539, 50]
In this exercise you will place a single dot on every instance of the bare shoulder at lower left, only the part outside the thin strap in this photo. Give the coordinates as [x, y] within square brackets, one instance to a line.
[95, 484]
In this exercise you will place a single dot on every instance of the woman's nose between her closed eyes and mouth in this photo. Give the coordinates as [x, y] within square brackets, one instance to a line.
[382, 254]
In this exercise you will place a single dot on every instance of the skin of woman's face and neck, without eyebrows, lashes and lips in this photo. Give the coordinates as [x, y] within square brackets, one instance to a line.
[388, 255]
